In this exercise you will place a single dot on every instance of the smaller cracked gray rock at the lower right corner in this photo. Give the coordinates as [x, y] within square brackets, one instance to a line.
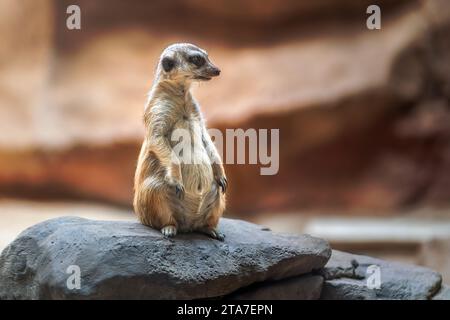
[347, 277]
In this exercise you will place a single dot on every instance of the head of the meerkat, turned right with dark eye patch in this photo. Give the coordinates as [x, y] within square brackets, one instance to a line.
[186, 62]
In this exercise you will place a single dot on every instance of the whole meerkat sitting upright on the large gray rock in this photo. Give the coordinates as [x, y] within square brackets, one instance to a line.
[170, 194]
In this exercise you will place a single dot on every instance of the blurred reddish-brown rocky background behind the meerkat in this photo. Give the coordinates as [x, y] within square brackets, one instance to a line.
[364, 115]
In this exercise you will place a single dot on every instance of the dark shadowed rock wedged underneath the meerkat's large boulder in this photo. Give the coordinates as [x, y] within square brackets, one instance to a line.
[306, 287]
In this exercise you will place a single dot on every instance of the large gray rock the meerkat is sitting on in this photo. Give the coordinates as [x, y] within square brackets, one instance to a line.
[126, 260]
